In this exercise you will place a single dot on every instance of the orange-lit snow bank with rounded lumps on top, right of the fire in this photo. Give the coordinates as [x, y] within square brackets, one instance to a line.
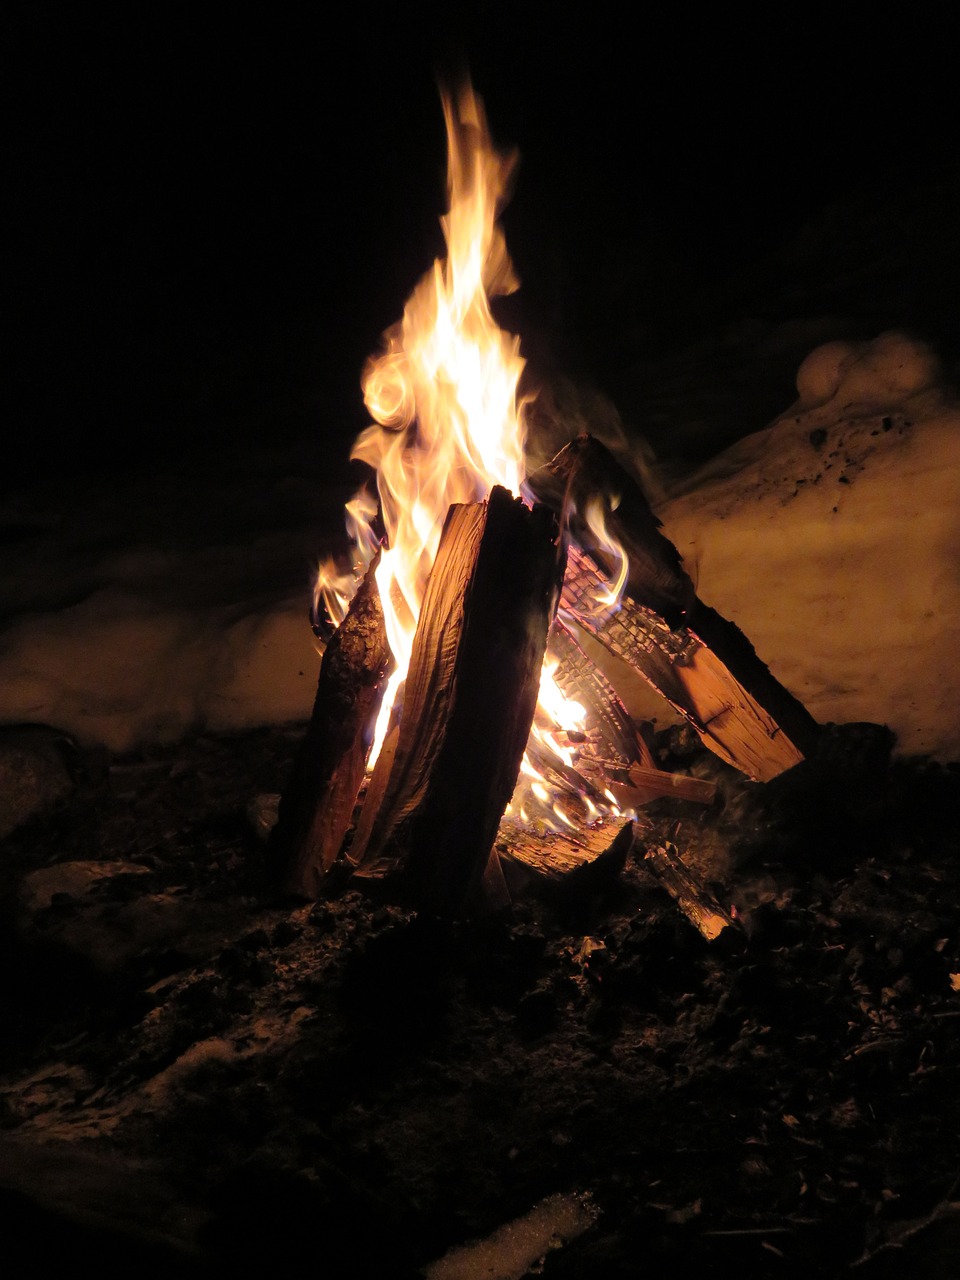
[831, 538]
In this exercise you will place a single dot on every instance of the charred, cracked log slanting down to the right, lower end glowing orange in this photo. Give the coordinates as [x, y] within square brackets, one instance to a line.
[701, 662]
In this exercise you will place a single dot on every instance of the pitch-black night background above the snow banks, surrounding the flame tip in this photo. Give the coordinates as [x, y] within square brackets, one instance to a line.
[213, 216]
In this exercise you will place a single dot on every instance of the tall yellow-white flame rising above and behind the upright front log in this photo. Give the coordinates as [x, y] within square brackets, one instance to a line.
[449, 423]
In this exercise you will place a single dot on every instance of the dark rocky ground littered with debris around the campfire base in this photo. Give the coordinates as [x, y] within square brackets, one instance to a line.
[195, 1071]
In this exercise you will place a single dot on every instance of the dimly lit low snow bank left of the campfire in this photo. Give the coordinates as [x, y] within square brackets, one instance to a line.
[117, 670]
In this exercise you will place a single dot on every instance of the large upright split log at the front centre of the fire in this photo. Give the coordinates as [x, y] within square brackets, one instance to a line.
[469, 703]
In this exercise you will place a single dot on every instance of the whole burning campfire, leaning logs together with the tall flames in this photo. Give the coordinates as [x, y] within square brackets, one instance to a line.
[463, 739]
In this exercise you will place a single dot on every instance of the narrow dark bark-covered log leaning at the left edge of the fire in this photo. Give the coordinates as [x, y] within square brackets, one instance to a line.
[318, 804]
